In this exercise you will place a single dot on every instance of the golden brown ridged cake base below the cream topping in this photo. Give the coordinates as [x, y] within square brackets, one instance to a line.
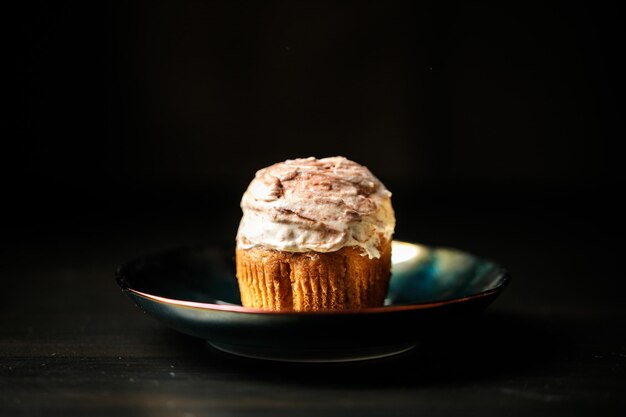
[313, 281]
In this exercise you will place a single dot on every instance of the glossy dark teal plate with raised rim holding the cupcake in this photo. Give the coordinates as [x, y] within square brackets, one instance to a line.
[194, 290]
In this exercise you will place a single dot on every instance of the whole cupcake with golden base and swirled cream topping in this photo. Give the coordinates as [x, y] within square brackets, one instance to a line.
[315, 235]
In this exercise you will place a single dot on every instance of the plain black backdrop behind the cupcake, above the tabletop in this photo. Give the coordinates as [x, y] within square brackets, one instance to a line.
[119, 108]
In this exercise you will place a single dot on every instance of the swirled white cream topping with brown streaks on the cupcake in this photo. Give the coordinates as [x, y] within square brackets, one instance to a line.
[319, 205]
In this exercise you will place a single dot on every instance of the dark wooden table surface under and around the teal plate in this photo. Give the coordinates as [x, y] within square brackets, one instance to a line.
[554, 343]
